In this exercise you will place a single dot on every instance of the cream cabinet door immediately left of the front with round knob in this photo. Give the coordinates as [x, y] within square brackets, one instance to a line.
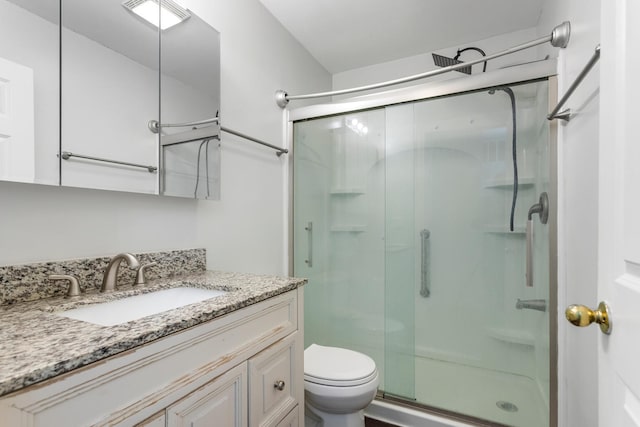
[222, 402]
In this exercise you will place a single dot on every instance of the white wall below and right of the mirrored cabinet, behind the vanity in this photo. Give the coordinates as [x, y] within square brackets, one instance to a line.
[244, 231]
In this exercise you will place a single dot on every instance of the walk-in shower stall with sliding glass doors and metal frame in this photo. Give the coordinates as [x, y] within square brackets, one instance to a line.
[410, 219]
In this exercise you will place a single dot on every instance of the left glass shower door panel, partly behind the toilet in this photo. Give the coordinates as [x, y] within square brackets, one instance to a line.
[338, 229]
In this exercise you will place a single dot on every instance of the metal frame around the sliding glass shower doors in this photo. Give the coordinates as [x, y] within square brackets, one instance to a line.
[546, 69]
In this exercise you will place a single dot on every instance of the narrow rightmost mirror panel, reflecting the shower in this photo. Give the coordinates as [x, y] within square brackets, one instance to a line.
[190, 157]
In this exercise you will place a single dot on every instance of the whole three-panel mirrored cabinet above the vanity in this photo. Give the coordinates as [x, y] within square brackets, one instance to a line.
[80, 113]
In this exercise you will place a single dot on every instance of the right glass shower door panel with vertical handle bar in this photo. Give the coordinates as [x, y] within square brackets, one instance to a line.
[455, 270]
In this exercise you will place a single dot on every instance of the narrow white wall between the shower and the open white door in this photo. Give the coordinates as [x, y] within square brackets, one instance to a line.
[577, 210]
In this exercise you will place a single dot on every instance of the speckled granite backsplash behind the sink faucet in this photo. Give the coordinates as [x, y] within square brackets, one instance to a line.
[30, 282]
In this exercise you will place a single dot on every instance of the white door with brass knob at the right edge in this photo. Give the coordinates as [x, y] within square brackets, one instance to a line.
[618, 384]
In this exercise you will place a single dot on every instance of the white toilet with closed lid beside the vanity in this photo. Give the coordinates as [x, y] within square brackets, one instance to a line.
[338, 385]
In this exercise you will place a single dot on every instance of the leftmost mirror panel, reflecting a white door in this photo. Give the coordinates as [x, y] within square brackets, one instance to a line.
[29, 91]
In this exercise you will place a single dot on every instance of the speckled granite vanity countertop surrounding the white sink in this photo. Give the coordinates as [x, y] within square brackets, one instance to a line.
[37, 344]
